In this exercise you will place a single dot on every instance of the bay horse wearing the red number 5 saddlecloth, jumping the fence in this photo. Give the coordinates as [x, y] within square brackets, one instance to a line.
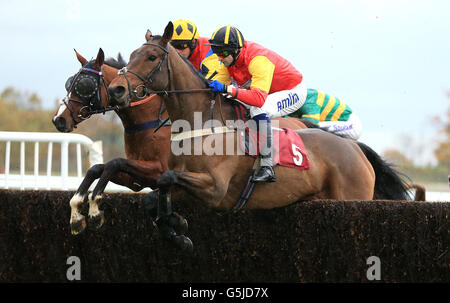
[339, 168]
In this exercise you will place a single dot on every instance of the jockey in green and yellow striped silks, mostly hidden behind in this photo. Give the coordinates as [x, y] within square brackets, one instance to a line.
[330, 113]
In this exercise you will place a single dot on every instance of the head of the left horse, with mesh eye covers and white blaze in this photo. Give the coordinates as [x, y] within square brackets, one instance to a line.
[86, 93]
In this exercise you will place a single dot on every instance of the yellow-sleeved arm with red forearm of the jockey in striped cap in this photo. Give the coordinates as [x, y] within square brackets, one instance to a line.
[261, 69]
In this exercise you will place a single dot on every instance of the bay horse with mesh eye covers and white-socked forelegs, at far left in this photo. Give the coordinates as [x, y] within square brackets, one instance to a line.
[147, 152]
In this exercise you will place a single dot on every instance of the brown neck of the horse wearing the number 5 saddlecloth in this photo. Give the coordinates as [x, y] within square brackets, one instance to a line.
[191, 106]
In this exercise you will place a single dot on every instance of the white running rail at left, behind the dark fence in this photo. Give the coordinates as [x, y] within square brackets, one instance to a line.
[36, 181]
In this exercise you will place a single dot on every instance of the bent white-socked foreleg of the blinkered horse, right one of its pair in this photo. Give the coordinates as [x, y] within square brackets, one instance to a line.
[130, 173]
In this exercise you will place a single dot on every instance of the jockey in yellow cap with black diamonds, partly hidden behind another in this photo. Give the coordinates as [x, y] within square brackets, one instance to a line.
[187, 41]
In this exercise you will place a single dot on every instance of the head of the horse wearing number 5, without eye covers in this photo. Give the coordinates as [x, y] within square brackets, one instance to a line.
[147, 70]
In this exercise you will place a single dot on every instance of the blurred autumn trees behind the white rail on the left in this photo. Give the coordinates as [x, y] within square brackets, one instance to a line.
[22, 111]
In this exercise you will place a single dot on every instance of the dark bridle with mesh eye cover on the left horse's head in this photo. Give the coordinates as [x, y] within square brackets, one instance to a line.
[90, 100]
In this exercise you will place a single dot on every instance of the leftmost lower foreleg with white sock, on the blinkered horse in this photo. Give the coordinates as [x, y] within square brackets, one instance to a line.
[77, 220]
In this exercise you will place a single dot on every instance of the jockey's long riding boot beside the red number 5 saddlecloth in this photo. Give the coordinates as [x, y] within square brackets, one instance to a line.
[266, 172]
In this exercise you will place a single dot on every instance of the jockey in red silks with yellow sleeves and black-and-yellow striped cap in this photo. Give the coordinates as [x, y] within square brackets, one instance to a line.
[277, 88]
